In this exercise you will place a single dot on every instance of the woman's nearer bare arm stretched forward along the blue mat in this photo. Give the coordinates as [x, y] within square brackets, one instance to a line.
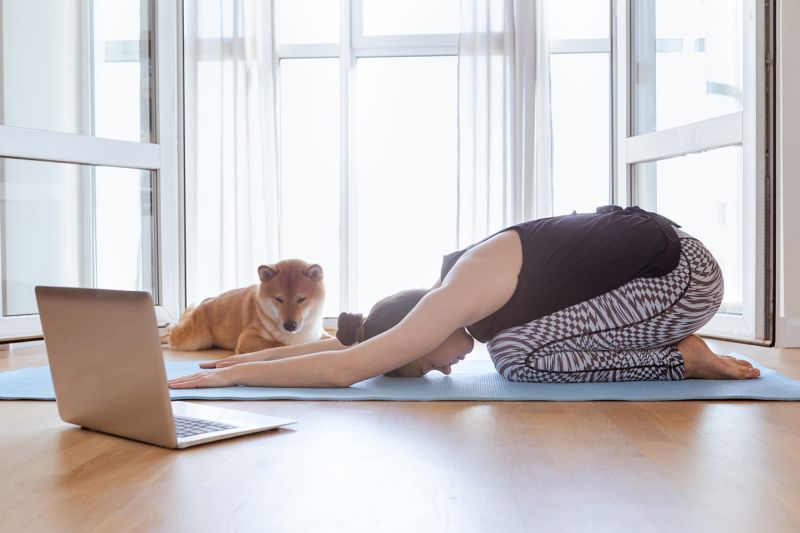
[480, 283]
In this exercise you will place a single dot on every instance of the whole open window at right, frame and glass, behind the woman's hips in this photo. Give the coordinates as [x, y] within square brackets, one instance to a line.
[697, 146]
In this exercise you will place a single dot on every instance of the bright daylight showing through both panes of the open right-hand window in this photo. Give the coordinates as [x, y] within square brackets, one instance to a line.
[689, 70]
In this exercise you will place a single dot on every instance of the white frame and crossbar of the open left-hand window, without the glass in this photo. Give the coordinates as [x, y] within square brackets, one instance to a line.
[161, 157]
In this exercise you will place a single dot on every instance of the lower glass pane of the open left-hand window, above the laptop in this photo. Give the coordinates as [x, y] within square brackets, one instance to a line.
[73, 225]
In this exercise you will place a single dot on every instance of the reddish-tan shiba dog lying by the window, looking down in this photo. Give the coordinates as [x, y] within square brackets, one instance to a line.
[285, 308]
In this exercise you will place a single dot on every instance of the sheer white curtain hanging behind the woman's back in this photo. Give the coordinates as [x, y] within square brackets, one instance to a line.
[504, 124]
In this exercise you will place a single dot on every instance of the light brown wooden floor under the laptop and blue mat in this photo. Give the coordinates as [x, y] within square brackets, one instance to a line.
[407, 467]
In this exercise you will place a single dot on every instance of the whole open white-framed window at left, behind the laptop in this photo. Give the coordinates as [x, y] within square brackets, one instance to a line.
[87, 193]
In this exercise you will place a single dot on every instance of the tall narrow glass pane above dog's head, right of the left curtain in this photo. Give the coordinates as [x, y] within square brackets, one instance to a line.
[309, 113]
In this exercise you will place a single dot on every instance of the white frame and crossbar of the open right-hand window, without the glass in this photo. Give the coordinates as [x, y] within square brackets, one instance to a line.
[750, 128]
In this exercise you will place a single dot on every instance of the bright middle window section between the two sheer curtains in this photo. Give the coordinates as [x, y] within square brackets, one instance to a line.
[371, 92]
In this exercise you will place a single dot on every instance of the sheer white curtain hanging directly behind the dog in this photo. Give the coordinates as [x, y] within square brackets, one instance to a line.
[232, 196]
